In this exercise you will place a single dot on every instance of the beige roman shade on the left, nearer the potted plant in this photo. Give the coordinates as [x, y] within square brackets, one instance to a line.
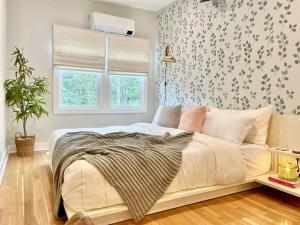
[77, 47]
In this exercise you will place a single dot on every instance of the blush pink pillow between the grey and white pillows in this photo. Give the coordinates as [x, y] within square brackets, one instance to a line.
[192, 119]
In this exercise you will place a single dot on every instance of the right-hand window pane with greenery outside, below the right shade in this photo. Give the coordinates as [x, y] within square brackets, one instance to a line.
[127, 91]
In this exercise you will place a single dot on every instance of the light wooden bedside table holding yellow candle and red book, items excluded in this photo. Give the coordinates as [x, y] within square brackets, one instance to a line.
[264, 179]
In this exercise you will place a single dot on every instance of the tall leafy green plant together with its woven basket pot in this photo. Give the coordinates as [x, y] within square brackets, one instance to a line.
[25, 95]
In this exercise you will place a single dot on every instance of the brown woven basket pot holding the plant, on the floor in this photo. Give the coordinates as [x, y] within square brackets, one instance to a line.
[24, 145]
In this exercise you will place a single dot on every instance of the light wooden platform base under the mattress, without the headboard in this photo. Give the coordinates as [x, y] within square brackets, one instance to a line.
[120, 213]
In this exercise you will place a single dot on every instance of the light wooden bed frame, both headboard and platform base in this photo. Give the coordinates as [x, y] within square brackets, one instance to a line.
[276, 137]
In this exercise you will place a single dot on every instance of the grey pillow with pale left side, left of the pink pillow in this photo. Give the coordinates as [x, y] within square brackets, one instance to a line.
[167, 116]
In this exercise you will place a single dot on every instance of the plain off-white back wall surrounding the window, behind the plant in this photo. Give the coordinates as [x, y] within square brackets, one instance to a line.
[30, 26]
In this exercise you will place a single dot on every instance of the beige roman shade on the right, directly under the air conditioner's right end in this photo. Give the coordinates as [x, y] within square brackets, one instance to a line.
[128, 55]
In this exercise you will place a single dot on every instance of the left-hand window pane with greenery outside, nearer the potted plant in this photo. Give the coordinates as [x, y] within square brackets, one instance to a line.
[78, 89]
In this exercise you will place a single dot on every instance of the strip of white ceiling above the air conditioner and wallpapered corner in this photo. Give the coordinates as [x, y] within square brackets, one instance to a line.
[152, 5]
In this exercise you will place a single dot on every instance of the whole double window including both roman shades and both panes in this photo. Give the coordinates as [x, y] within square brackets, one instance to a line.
[96, 72]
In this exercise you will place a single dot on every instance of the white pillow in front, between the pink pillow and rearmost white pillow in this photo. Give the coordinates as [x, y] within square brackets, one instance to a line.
[228, 126]
